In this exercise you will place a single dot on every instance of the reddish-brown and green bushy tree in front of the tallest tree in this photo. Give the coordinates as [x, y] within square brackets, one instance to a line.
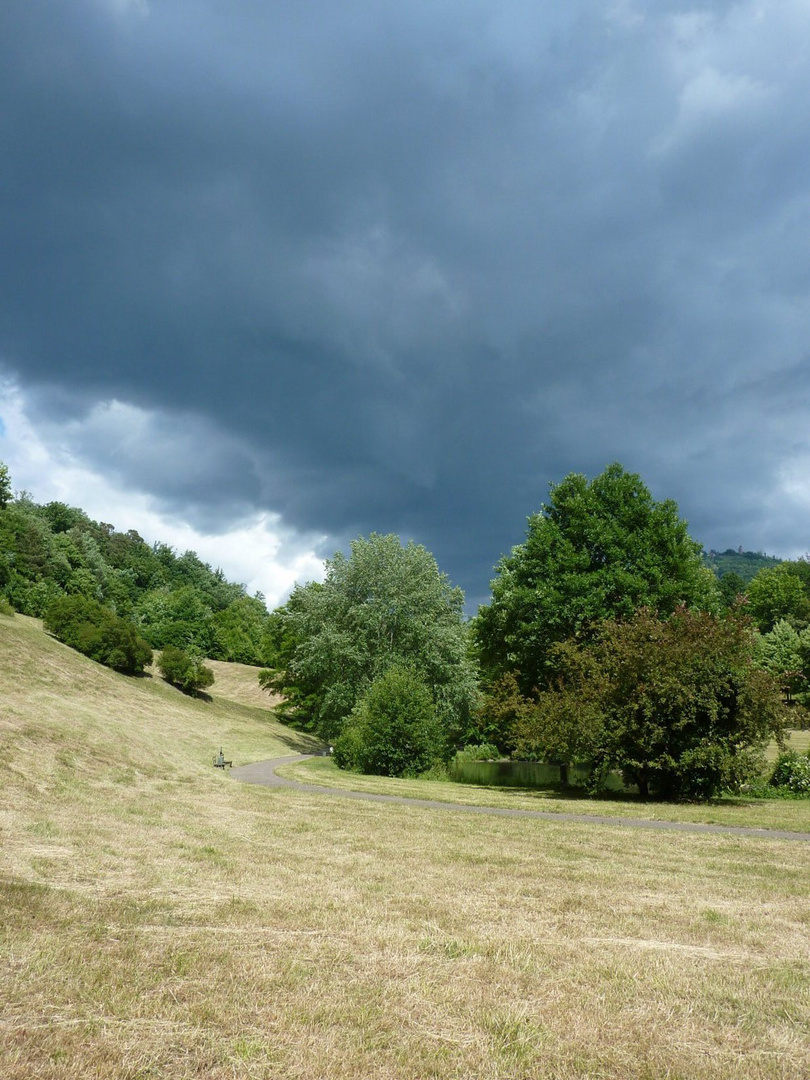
[676, 705]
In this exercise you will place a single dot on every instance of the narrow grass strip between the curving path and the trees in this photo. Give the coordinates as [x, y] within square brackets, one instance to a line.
[791, 815]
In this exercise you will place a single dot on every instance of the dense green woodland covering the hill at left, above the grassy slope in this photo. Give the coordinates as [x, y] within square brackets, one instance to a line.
[52, 551]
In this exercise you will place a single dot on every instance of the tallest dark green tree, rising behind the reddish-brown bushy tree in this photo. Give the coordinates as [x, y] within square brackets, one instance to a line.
[598, 550]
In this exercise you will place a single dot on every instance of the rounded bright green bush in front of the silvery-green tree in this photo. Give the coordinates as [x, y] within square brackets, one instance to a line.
[394, 730]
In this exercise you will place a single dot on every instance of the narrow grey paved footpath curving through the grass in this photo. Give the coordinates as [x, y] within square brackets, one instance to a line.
[264, 773]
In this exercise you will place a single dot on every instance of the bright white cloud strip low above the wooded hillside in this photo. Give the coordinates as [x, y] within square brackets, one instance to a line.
[260, 551]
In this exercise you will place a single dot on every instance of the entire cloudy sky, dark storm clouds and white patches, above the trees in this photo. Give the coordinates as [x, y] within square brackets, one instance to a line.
[277, 275]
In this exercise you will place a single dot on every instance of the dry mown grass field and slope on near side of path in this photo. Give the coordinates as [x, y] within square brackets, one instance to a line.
[161, 921]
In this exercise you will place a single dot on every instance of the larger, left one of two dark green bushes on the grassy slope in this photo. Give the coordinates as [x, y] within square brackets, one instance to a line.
[97, 631]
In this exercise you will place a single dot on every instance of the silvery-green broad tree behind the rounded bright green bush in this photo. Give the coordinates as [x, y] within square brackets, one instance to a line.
[385, 605]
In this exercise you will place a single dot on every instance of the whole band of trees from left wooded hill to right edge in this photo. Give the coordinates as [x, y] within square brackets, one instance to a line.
[607, 643]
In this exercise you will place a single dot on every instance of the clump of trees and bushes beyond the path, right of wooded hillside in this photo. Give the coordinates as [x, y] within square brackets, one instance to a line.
[607, 643]
